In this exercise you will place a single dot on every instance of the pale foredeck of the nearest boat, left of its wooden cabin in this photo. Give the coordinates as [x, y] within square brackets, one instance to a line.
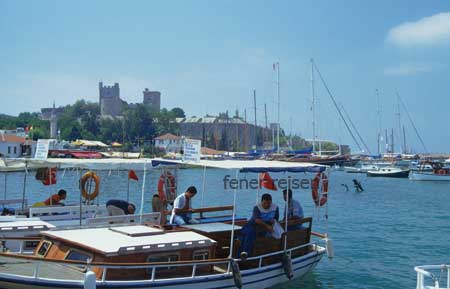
[46, 269]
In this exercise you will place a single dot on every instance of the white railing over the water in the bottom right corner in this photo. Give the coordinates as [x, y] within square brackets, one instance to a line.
[433, 272]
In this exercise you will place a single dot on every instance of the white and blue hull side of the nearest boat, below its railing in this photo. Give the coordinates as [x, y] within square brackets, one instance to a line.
[258, 278]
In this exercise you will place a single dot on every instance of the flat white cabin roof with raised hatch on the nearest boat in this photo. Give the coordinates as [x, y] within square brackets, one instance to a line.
[132, 239]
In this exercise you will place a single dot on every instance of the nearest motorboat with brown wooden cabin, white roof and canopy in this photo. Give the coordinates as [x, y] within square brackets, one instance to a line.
[149, 255]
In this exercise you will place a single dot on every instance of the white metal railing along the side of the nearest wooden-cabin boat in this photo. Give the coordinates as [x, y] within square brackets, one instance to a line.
[190, 269]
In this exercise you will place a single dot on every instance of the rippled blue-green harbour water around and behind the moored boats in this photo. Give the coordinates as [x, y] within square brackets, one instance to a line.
[379, 235]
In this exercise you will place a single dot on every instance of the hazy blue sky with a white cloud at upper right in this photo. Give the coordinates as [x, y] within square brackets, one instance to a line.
[208, 57]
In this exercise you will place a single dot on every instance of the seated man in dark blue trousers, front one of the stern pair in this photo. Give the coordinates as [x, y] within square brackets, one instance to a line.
[265, 214]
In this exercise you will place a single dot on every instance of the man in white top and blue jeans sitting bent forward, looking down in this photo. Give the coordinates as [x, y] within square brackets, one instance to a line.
[182, 211]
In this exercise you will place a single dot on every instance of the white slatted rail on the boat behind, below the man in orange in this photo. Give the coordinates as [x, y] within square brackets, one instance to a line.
[53, 213]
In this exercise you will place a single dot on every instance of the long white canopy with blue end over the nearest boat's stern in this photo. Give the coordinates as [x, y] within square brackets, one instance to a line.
[253, 166]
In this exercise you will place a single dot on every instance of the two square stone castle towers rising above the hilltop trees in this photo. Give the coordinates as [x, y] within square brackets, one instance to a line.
[112, 105]
